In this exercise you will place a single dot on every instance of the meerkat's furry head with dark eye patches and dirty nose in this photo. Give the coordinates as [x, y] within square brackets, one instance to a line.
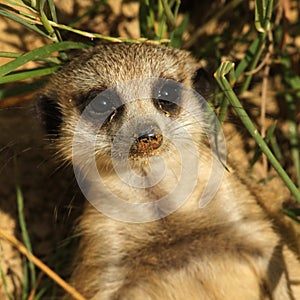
[123, 105]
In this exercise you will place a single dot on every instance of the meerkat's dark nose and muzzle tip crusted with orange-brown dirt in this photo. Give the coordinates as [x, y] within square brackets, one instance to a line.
[147, 138]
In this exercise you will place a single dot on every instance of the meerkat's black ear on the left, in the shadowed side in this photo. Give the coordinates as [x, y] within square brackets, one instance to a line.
[49, 113]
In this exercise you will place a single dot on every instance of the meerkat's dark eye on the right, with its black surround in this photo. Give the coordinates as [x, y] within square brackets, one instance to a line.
[168, 98]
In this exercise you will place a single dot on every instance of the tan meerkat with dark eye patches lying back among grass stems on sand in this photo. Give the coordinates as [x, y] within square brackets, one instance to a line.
[164, 219]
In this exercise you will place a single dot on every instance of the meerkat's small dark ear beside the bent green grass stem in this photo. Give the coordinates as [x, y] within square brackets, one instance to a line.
[203, 82]
